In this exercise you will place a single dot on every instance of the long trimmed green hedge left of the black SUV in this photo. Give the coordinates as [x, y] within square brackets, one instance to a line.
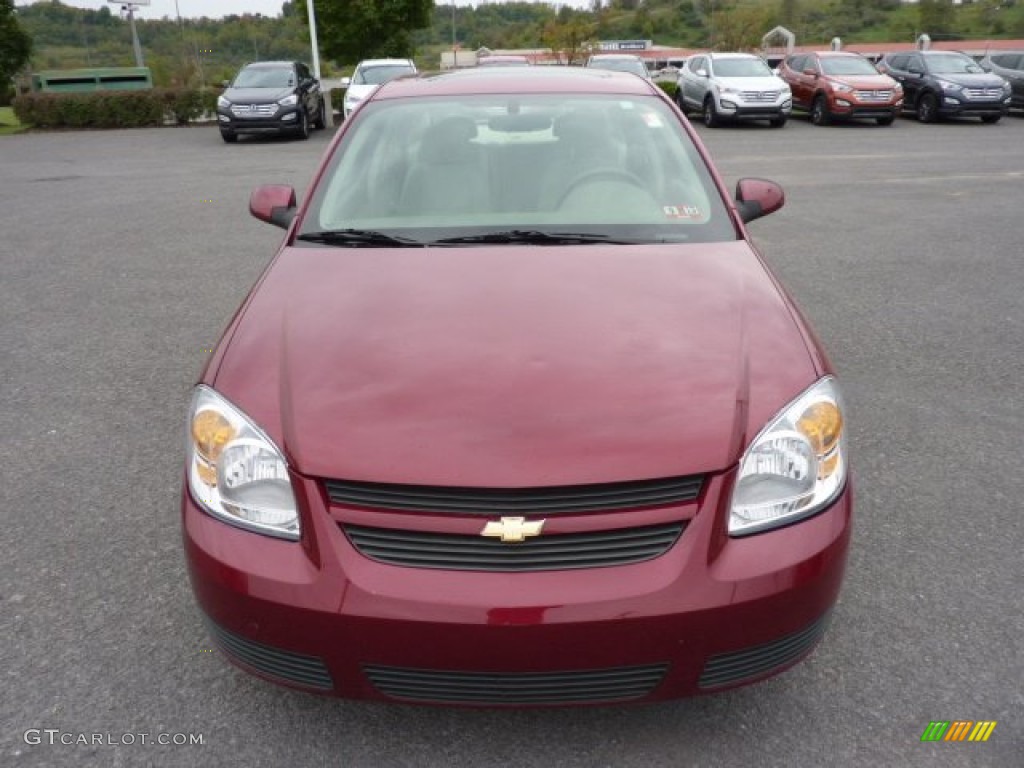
[115, 109]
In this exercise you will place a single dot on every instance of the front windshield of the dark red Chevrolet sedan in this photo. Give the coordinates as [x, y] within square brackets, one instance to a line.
[518, 167]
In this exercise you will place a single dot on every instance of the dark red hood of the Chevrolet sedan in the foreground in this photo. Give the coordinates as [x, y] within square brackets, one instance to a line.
[515, 366]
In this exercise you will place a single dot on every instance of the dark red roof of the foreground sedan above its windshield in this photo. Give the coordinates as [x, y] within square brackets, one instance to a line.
[517, 80]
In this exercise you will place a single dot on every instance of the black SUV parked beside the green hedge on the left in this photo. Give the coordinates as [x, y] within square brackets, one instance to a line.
[271, 98]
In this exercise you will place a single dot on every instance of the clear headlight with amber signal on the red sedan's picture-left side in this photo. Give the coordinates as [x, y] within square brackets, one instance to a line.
[236, 473]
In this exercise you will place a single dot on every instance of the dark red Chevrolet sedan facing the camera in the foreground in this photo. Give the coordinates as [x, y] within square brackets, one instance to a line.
[518, 415]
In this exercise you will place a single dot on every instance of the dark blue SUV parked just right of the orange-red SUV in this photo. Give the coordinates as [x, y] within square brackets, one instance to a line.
[938, 84]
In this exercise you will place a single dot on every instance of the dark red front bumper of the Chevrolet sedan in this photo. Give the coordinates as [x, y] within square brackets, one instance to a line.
[711, 614]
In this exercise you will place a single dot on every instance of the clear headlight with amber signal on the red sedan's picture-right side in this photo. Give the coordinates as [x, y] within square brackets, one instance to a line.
[796, 466]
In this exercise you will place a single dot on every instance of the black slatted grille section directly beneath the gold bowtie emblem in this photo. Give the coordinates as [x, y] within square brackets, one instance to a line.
[559, 552]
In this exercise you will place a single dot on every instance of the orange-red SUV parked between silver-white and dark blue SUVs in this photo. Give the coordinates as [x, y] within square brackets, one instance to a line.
[833, 86]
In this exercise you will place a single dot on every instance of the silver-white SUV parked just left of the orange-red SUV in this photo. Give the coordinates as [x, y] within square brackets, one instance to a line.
[734, 87]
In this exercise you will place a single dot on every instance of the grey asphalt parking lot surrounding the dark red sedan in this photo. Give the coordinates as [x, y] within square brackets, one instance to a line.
[124, 253]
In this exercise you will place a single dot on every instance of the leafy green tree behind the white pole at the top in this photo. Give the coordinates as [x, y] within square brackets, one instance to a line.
[354, 30]
